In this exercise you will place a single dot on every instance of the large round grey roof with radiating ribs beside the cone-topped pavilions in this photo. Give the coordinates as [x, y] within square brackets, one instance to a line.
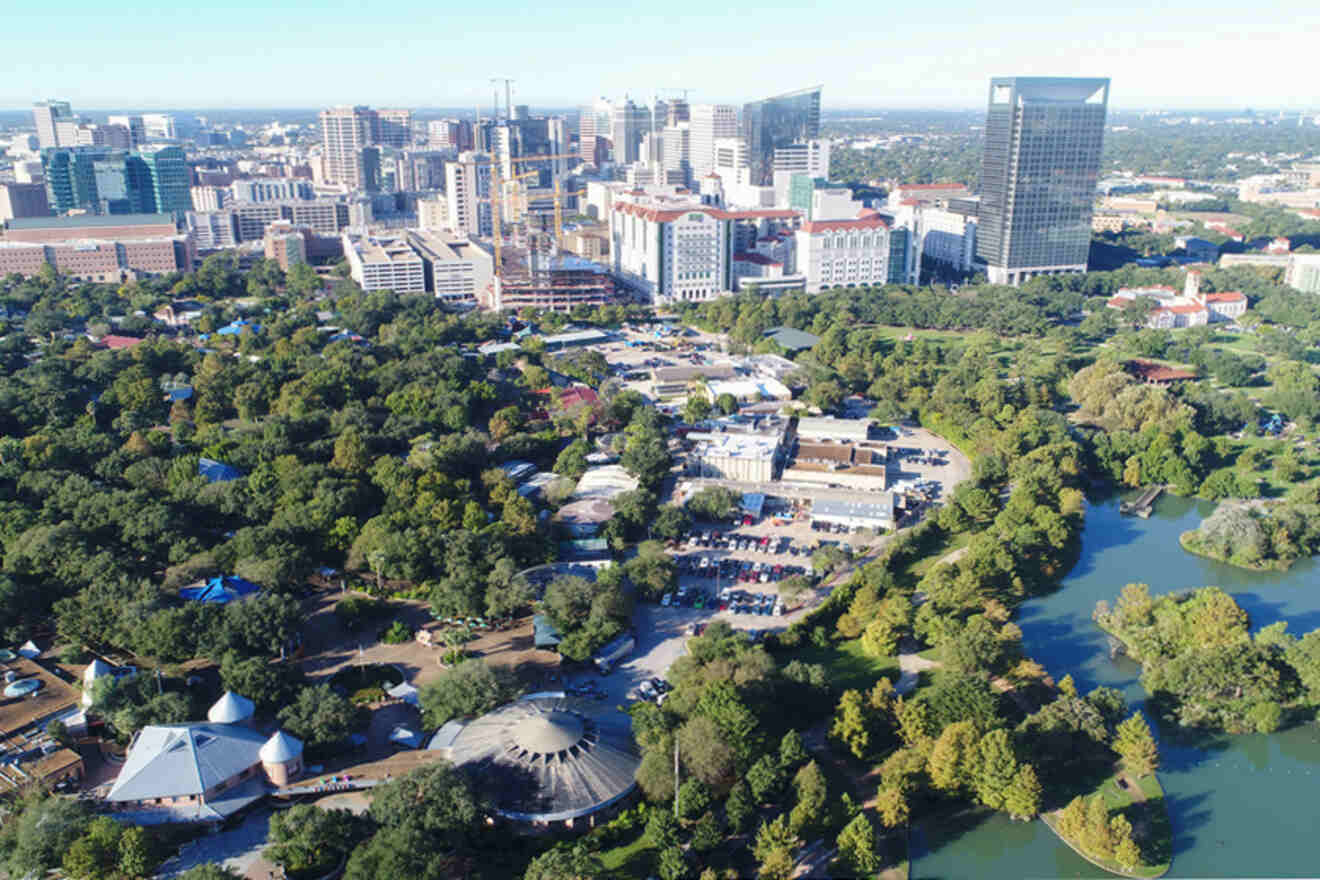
[547, 758]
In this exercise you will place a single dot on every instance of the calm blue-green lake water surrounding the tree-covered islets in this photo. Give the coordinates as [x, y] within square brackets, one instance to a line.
[1243, 807]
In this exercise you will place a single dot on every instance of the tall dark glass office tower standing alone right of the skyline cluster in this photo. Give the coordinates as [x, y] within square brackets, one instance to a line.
[1038, 176]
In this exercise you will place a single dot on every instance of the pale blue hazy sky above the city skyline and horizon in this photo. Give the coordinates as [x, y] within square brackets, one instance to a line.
[442, 53]
